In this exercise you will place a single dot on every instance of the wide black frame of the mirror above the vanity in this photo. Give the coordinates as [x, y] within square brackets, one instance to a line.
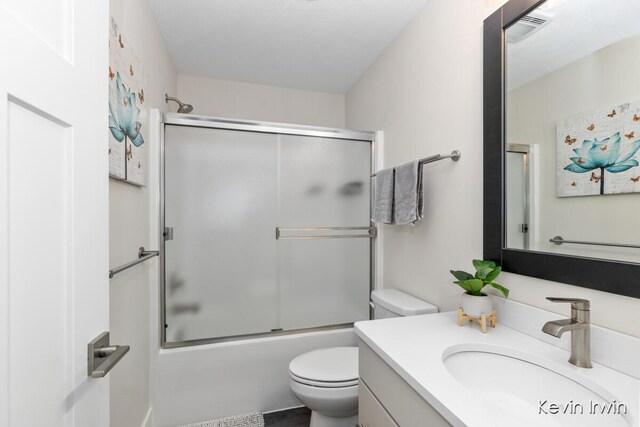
[616, 277]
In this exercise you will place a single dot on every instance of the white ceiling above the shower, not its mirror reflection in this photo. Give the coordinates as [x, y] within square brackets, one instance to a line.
[321, 45]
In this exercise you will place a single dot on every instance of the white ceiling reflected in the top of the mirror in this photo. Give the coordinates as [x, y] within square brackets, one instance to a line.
[578, 28]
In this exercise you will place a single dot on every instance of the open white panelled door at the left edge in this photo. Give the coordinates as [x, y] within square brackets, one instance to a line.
[53, 210]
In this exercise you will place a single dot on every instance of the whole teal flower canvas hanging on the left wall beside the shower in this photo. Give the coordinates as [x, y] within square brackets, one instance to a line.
[128, 112]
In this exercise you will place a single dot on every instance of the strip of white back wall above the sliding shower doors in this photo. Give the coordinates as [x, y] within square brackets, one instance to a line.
[223, 98]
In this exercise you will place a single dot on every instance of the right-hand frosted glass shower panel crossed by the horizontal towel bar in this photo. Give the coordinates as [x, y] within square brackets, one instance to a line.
[324, 183]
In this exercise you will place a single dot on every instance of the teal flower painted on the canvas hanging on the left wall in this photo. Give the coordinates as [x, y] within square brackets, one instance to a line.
[123, 117]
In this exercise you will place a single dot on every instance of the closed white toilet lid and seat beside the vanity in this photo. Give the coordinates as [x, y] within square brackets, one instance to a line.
[326, 365]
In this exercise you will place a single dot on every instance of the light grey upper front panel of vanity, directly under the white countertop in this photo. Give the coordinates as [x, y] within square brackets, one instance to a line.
[400, 400]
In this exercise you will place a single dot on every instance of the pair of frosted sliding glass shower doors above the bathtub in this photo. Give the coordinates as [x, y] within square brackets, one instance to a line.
[270, 232]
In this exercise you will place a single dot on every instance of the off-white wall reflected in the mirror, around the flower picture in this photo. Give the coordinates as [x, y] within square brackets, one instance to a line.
[535, 108]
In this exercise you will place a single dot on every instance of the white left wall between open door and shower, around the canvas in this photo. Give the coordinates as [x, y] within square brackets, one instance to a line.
[129, 229]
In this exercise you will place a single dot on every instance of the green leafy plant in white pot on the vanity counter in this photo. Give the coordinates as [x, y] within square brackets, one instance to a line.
[474, 302]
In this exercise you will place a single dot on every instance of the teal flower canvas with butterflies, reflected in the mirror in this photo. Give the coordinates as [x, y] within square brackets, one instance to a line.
[599, 153]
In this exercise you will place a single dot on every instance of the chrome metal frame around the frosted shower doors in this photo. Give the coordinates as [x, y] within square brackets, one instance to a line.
[175, 119]
